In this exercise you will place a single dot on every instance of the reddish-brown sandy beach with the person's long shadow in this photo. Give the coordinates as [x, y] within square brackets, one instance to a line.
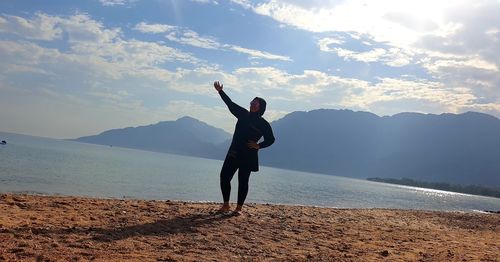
[53, 228]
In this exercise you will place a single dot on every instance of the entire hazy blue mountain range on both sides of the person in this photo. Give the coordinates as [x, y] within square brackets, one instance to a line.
[453, 148]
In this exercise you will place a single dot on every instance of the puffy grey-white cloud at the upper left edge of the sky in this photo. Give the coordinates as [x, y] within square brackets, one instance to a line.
[92, 48]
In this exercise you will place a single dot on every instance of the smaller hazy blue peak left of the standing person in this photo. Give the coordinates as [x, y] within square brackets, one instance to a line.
[186, 136]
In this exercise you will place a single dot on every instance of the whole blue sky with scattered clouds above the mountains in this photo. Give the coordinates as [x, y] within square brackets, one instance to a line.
[76, 68]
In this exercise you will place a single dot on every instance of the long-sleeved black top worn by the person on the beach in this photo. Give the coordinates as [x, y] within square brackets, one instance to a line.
[250, 127]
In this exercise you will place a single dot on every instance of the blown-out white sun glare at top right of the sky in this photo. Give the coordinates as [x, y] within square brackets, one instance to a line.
[398, 22]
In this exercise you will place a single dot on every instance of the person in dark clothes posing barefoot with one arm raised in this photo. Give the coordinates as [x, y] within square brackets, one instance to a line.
[243, 152]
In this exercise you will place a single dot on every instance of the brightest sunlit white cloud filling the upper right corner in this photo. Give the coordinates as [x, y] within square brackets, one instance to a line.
[455, 27]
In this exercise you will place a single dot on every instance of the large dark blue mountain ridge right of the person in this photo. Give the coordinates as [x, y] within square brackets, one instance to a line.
[461, 149]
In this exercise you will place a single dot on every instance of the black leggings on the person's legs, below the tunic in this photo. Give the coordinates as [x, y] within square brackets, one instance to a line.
[226, 174]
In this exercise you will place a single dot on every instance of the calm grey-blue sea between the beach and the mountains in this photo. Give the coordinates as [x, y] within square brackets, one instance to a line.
[49, 166]
